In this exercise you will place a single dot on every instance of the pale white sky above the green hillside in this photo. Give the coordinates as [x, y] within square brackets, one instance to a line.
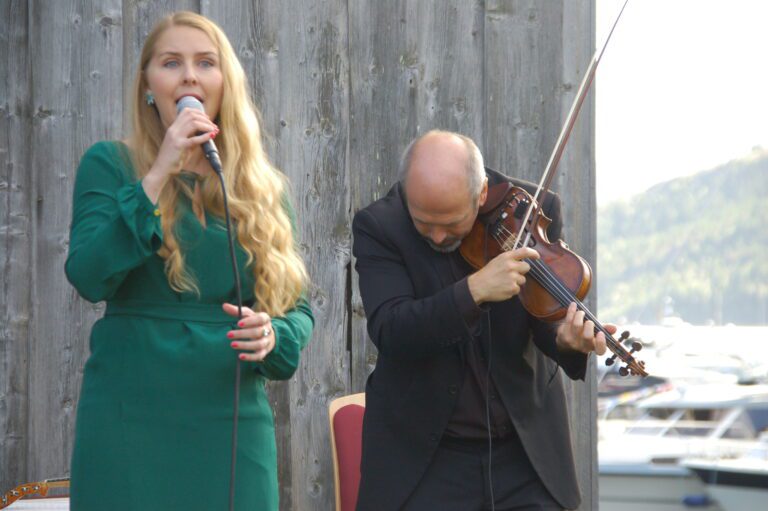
[681, 88]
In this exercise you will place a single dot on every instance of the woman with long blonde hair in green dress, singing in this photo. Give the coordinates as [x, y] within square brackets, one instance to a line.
[148, 235]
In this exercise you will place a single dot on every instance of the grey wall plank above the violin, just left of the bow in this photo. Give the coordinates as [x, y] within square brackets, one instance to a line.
[523, 68]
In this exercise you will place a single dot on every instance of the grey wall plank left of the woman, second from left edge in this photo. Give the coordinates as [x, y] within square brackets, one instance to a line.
[56, 122]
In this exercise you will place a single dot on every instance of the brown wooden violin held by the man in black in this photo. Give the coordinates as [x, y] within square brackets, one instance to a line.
[559, 277]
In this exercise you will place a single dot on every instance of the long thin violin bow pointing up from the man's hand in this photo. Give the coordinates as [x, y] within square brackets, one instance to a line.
[565, 132]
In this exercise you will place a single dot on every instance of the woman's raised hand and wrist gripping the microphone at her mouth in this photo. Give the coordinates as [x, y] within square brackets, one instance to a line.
[180, 136]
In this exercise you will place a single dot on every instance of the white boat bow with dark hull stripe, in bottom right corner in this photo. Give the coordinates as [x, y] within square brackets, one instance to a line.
[736, 483]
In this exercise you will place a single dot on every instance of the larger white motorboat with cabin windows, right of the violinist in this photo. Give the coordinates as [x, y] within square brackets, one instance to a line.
[643, 439]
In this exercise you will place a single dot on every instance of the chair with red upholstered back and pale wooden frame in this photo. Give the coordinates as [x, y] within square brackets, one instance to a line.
[346, 420]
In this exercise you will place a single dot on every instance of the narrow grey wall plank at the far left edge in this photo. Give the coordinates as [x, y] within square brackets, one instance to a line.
[15, 241]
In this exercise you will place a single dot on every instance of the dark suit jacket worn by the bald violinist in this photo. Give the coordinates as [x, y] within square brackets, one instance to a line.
[414, 321]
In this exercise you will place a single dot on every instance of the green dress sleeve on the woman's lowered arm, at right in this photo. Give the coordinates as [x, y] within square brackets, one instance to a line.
[292, 331]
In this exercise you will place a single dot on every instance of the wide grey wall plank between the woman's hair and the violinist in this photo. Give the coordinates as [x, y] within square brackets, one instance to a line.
[295, 55]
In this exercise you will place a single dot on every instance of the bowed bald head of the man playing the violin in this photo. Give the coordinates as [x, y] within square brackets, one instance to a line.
[444, 181]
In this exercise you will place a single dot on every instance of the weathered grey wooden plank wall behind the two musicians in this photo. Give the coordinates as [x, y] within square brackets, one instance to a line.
[343, 86]
